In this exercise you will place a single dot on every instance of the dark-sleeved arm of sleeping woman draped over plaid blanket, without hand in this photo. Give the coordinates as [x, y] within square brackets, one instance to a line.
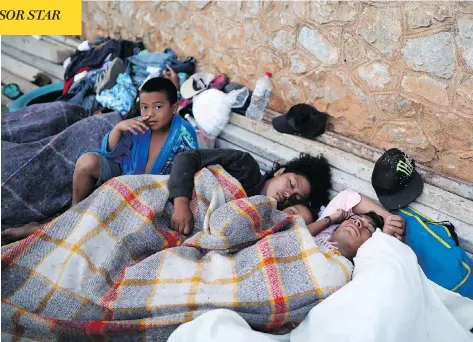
[240, 165]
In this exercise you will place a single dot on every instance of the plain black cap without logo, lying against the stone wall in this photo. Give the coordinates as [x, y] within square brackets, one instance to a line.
[303, 120]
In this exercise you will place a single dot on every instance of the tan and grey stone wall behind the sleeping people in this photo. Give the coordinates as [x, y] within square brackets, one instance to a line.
[388, 73]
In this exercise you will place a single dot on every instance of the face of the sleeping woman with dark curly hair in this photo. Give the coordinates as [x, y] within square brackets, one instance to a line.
[285, 186]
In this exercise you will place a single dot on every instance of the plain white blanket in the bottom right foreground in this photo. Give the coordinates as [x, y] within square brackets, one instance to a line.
[389, 299]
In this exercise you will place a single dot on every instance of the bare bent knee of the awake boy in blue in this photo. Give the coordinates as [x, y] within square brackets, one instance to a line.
[86, 173]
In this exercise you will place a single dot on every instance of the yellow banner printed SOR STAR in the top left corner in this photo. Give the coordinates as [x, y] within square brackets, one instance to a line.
[46, 17]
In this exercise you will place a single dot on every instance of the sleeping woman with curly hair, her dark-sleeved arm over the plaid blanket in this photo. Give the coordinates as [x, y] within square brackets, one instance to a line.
[303, 178]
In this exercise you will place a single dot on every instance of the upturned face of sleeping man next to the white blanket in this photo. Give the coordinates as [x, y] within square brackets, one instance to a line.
[352, 233]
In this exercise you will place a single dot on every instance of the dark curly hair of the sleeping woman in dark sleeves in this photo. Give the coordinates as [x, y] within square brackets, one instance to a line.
[316, 170]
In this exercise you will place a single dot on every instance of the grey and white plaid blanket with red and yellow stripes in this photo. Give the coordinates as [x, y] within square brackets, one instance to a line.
[111, 267]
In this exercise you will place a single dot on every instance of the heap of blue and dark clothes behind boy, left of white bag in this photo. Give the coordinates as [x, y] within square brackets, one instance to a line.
[103, 76]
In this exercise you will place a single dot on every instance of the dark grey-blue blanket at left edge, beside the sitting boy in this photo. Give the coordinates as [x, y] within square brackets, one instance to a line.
[40, 145]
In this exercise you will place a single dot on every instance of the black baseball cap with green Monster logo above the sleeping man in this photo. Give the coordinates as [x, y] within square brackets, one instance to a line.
[396, 180]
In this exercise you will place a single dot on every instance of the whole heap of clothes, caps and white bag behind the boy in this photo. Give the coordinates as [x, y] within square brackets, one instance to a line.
[104, 76]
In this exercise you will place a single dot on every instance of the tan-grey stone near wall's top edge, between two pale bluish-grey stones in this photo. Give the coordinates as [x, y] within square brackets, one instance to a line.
[382, 28]
